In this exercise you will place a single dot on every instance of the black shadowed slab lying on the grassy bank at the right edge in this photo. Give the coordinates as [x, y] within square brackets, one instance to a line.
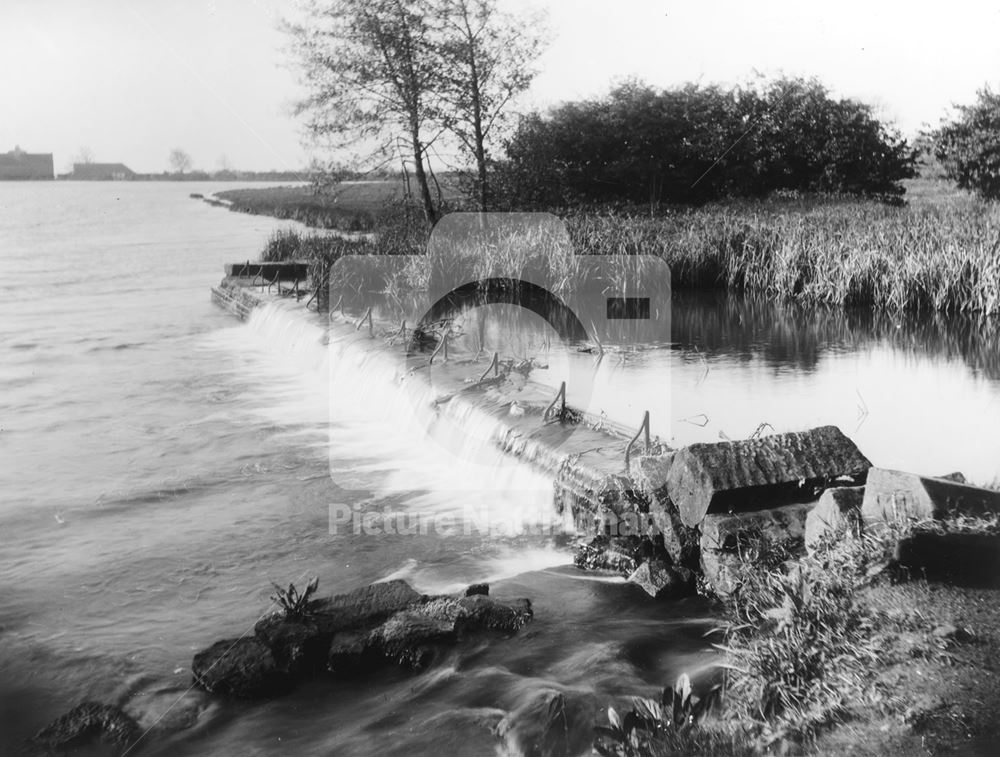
[966, 558]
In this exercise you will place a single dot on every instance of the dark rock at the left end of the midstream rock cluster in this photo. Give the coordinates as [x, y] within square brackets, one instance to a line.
[243, 668]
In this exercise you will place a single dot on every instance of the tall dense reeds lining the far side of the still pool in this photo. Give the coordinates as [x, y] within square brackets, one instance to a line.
[927, 258]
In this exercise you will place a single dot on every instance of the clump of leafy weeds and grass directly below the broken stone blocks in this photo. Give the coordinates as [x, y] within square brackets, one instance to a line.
[802, 645]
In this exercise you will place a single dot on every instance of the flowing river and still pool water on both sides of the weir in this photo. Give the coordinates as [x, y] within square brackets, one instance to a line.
[161, 463]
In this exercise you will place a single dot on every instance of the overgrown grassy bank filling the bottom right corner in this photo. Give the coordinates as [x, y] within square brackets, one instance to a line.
[839, 651]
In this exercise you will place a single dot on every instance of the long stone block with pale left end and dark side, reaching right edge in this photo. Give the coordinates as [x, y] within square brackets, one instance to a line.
[898, 497]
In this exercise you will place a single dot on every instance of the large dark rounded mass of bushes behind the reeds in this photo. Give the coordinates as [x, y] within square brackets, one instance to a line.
[694, 144]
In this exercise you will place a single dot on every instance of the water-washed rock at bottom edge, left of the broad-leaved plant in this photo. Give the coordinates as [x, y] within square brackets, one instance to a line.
[550, 723]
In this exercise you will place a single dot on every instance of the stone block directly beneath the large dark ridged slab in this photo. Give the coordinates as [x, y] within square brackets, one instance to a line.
[727, 539]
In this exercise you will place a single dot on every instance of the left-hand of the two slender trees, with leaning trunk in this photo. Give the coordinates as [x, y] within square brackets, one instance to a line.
[373, 77]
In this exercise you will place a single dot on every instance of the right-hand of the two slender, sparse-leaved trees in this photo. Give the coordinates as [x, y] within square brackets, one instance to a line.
[486, 59]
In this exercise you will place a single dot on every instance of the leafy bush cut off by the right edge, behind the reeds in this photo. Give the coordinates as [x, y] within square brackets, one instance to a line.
[969, 146]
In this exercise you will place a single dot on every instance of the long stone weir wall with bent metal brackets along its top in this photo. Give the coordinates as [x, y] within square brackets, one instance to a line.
[499, 405]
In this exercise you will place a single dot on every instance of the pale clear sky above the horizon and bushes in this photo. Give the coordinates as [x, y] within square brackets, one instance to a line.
[130, 80]
